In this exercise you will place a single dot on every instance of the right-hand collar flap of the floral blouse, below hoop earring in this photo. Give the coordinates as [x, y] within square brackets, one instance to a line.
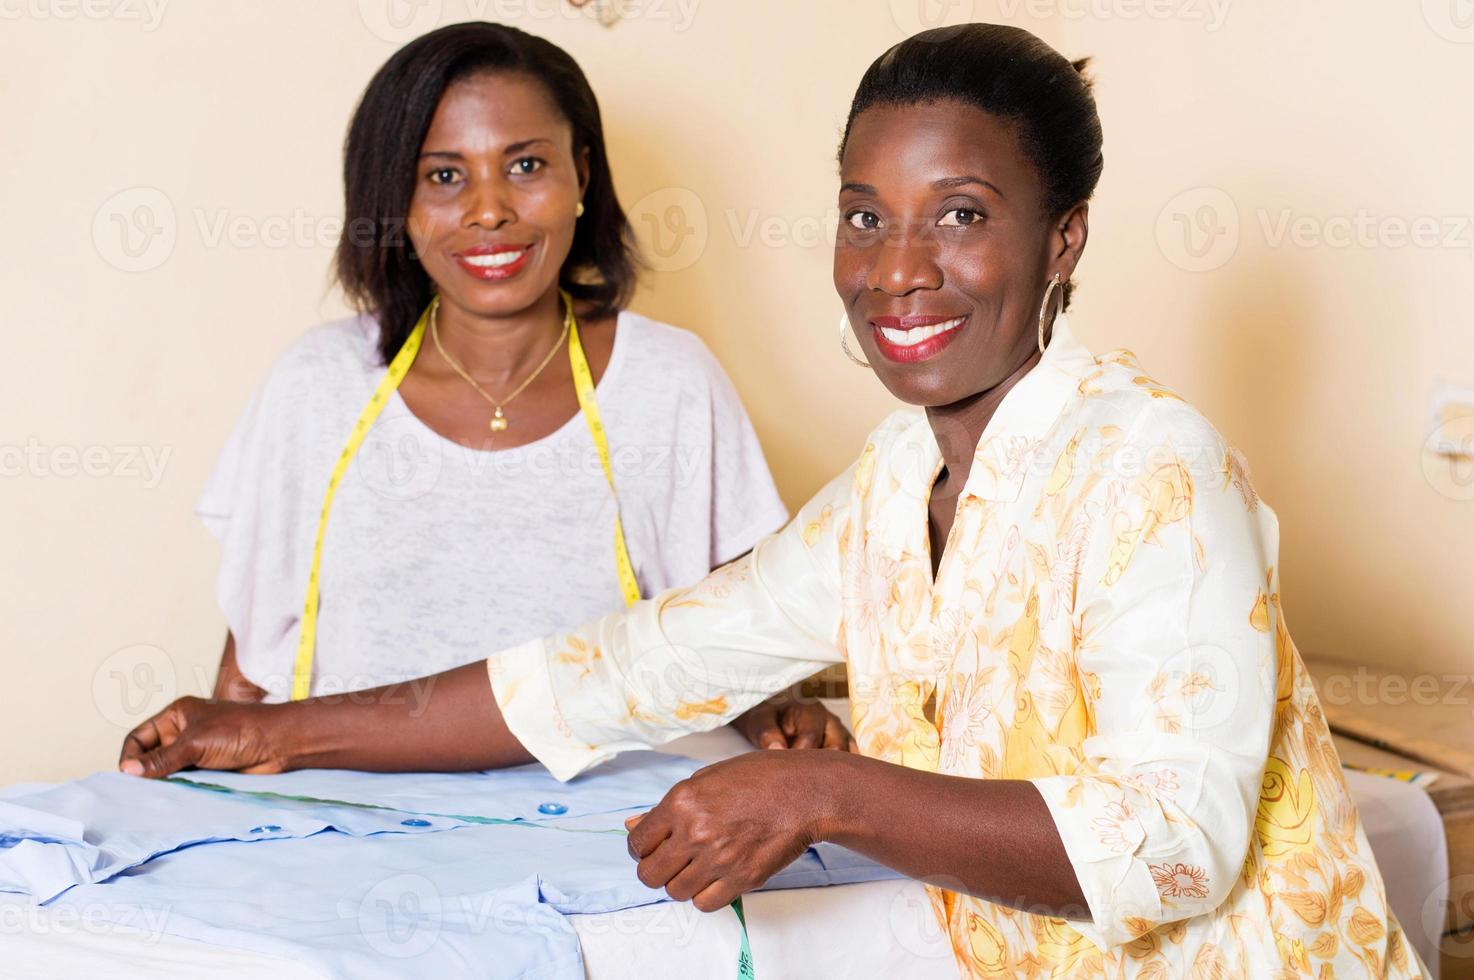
[1027, 416]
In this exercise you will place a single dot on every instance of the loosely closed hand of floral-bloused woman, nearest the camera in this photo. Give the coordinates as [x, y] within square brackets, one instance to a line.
[730, 827]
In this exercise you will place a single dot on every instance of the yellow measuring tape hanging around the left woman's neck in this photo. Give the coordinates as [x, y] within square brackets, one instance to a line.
[399, 368]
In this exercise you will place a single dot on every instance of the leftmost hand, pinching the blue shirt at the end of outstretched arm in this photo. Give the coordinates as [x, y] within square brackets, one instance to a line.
[206, 736]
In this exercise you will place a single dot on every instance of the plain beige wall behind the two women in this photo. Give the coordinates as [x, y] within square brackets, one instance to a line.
[225, 122]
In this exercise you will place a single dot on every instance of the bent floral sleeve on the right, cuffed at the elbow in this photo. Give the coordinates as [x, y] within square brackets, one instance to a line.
[1178, 668]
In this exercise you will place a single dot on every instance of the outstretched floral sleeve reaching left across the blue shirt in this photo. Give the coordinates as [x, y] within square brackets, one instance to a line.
[689, 659]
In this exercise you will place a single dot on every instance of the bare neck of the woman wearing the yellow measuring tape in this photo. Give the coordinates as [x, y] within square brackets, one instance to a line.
[499, 351]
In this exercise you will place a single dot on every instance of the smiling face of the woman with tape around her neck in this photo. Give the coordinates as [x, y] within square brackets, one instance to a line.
[496, 194]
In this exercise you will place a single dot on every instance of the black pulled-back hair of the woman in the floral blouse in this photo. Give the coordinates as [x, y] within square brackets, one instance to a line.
[1009, 73]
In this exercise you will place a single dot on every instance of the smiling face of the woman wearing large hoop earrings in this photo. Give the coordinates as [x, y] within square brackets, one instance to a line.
[946, 250]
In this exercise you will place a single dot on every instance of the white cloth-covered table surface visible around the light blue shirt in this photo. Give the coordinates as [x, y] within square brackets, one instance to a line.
[876, 929]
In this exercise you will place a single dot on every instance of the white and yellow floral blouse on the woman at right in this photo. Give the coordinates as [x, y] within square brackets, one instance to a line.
[1106, 623]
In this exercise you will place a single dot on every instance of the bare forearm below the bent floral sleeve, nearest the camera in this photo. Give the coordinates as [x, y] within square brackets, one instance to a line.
[993, 839]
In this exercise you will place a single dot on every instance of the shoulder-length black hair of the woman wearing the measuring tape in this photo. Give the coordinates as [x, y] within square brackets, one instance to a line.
[377, 263]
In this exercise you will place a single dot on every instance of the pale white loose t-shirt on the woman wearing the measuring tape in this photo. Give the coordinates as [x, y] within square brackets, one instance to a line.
[439, 555]
